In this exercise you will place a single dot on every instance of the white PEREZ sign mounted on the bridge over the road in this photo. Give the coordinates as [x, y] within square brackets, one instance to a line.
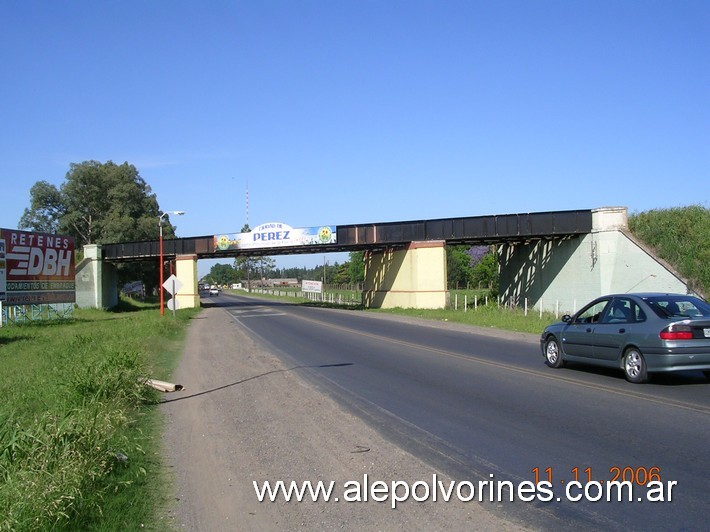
[276, 235]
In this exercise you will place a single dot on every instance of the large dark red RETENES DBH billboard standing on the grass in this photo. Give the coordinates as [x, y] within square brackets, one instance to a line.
[36, 268]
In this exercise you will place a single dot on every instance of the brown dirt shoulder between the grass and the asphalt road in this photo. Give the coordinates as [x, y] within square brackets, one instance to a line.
[244, 417]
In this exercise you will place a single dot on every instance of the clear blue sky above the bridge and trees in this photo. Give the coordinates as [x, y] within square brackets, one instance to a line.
[339, 112]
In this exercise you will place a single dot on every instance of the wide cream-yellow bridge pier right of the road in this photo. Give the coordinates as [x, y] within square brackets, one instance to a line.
[412, 277]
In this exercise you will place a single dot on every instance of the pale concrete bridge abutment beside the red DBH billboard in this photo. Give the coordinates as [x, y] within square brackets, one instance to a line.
[96, 281]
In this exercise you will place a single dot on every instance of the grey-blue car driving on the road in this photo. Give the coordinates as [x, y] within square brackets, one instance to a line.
[637, 333]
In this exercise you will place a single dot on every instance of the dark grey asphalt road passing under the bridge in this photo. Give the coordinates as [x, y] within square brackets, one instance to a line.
[482, 405]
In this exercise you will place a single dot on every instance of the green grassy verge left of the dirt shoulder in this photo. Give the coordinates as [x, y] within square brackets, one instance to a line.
[79, 434]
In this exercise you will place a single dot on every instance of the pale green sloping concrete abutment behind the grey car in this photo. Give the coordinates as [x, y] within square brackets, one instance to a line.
[565, 274]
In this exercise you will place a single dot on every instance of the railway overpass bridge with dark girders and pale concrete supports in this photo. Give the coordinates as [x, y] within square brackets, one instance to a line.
[556, 260]
